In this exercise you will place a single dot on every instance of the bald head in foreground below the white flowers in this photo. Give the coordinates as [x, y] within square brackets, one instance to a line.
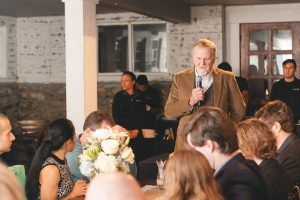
[114, 186]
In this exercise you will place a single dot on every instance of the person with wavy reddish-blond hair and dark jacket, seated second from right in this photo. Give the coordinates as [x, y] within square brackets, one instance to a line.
[257, 143]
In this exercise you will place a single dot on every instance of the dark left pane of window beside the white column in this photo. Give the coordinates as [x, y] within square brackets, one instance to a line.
[113, 46]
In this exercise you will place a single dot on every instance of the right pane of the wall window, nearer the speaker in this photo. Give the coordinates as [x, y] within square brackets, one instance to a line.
[150, 48]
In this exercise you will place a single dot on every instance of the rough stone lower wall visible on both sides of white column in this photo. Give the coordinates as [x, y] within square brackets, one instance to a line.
[21, 101]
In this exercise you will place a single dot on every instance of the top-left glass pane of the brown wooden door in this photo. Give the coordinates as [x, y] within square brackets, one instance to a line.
[258, 40]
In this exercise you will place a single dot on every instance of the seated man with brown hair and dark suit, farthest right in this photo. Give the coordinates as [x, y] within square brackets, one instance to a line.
[279, 117]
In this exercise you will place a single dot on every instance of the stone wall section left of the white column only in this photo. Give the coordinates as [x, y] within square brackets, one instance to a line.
[33, 101]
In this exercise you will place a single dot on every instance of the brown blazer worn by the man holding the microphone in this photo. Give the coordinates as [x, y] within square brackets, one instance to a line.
[227, 96]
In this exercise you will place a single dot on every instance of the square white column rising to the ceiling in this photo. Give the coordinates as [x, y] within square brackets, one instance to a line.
[81, 60]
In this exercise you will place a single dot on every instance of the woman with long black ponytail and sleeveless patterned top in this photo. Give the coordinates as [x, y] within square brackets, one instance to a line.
[49, 176]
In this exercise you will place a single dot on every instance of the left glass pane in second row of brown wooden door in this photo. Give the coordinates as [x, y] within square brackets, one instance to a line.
[258, 65]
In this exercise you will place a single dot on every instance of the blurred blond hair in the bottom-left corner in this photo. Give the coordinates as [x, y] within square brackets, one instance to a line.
[10, 188]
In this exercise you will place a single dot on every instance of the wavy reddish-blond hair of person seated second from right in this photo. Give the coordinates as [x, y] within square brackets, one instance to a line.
[256, 139]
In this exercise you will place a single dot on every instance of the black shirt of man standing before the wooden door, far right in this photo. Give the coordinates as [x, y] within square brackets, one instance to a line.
[288, 92]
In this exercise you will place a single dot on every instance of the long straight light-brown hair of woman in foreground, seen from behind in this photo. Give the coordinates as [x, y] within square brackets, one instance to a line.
[189, 177]
